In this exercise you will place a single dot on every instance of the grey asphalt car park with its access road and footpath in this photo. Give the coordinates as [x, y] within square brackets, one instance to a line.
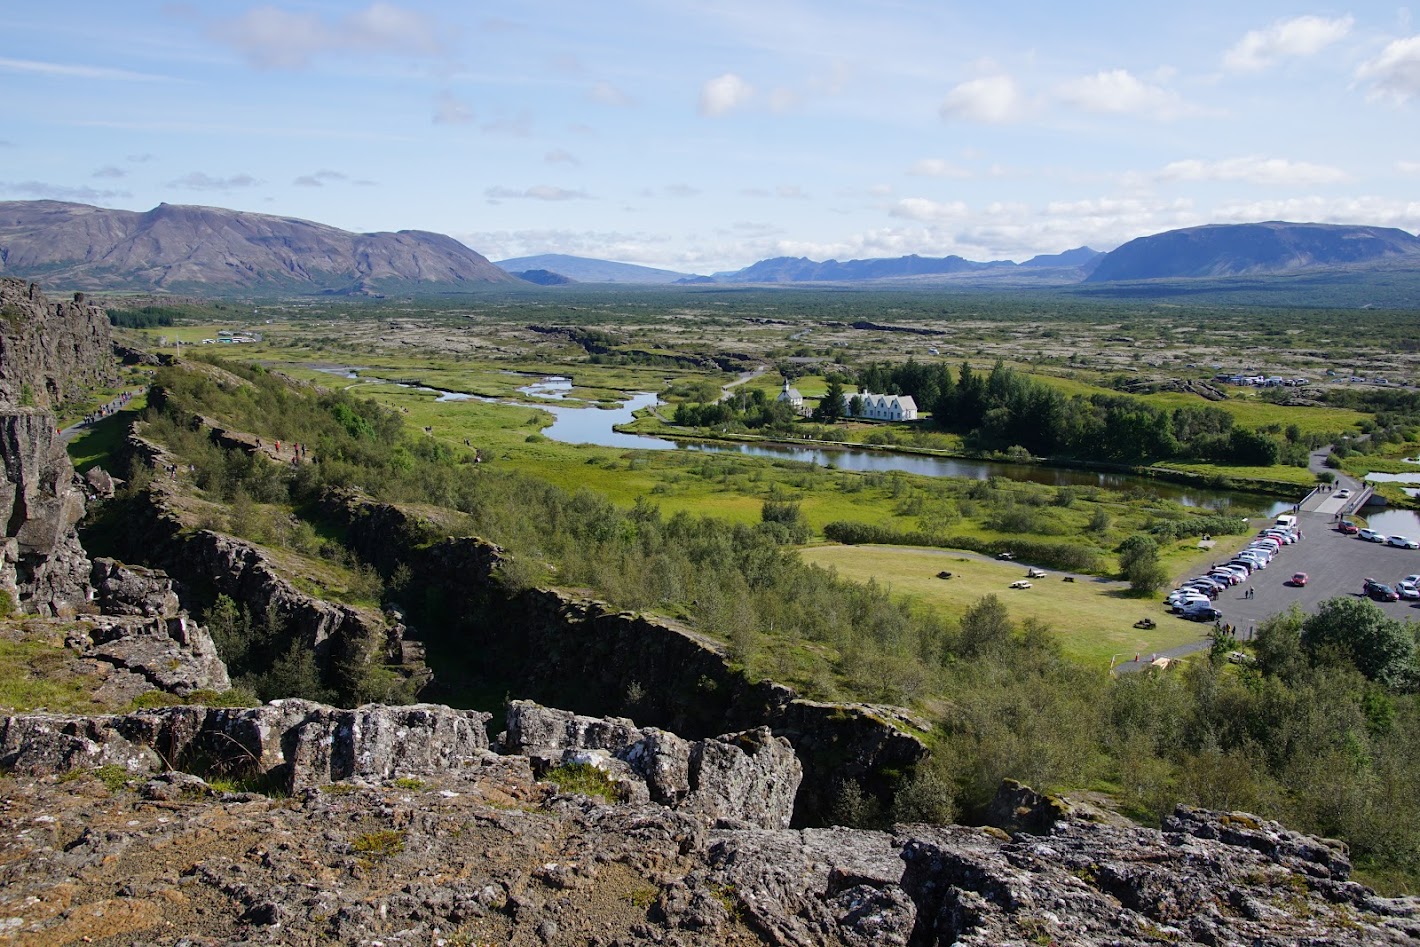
[1336, 564]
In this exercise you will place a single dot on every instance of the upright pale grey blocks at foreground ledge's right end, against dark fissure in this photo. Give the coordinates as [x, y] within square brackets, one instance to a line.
[749, 777]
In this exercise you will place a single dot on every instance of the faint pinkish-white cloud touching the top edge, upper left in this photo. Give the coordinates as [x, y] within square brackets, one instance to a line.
[272, 38]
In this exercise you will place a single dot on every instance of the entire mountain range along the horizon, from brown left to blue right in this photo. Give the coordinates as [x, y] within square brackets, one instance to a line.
[211, 251]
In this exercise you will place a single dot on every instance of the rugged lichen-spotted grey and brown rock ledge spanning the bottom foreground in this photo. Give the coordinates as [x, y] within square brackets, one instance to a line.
[407, 826]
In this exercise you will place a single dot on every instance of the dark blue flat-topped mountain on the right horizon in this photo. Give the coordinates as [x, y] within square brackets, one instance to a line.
[1255, 249]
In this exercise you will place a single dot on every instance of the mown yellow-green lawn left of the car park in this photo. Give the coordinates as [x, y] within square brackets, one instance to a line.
[1094, 620]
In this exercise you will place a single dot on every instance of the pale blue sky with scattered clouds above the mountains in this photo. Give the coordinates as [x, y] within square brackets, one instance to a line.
[709, 134]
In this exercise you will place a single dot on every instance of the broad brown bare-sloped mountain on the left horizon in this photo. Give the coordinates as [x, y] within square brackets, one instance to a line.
[215, 251]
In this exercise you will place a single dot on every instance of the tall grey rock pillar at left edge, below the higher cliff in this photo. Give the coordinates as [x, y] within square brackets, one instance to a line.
[42, 563]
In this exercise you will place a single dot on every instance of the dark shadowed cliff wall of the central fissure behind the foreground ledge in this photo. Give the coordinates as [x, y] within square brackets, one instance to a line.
[589, 657]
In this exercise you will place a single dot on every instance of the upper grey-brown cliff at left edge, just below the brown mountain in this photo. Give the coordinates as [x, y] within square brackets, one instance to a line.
[50, 351]
